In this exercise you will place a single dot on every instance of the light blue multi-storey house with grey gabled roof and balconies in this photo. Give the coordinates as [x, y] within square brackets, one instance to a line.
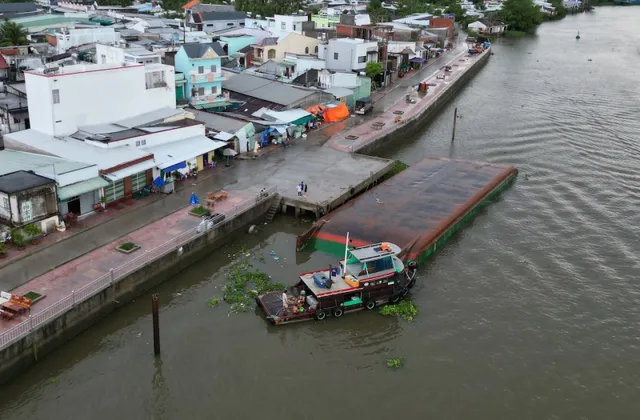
[201, 65]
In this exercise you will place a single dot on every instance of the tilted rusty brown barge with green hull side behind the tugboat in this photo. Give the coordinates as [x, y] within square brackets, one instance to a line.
[419, 209]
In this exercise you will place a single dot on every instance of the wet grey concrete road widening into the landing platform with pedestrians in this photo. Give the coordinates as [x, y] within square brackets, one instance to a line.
[327, 172]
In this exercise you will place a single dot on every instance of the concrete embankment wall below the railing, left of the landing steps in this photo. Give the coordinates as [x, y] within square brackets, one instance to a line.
[46, 338]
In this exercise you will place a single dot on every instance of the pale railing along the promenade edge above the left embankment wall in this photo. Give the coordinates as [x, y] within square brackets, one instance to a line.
[117, 273]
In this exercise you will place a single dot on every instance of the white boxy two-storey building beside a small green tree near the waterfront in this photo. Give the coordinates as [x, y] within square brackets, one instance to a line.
[348, 54]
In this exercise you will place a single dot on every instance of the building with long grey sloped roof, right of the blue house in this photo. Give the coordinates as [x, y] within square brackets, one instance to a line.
[255, 92]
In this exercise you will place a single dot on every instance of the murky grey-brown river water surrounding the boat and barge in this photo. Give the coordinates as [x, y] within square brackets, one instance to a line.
[531, 312]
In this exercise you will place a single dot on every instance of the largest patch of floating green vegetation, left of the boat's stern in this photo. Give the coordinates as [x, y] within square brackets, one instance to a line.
[245, 284]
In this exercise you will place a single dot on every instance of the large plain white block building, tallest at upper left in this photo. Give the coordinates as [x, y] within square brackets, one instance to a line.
[63, 99]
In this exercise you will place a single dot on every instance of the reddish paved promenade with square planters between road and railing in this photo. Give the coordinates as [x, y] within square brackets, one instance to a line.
[60, 282]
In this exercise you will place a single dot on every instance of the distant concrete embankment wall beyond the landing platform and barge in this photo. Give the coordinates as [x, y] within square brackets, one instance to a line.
[412, 124]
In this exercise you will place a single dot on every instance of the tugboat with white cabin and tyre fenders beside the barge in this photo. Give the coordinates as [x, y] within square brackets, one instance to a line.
[367, 277]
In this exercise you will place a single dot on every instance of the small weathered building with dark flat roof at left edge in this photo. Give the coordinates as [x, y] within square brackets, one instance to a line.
[27, 198]
